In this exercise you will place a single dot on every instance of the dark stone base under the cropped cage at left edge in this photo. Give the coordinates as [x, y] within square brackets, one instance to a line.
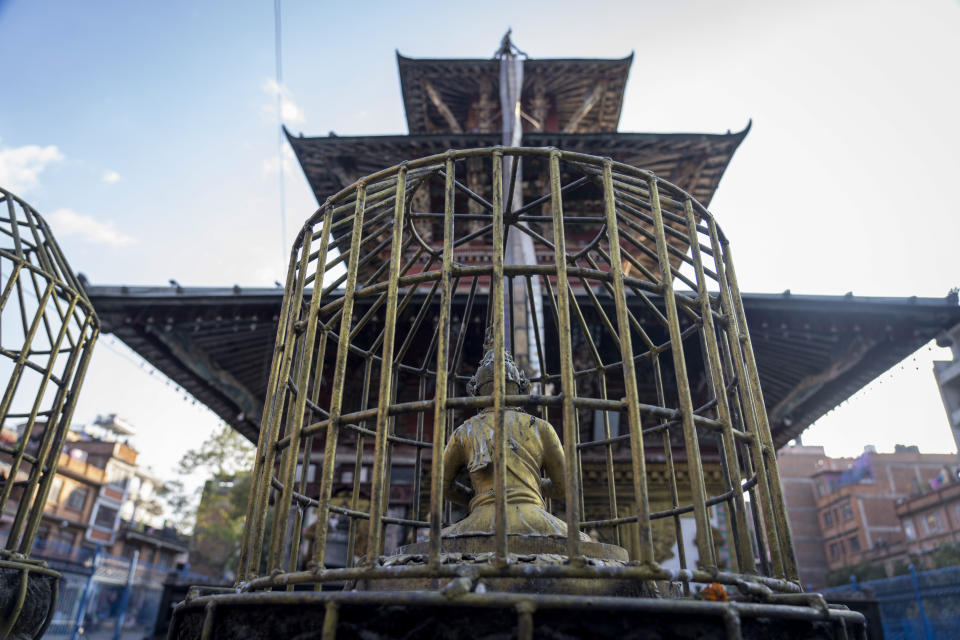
[30, 605]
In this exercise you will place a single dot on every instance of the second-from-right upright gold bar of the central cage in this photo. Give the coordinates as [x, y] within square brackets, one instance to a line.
[748, 406]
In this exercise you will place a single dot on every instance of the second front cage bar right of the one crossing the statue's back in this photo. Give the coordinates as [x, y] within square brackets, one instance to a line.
[638, 460]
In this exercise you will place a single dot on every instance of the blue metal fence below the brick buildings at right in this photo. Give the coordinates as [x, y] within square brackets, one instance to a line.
[919, 606]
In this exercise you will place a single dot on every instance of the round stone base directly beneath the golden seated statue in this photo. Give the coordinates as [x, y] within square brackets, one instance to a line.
[478, 551]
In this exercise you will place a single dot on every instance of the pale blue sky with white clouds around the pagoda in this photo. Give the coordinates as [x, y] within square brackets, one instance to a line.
[146, 133]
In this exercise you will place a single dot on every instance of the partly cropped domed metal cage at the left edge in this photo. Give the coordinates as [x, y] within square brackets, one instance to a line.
[47, 331]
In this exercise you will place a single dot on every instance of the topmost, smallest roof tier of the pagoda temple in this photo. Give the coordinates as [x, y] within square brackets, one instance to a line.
[558, 95]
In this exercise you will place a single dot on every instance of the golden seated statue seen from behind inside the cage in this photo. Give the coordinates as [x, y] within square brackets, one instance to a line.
[532, 445]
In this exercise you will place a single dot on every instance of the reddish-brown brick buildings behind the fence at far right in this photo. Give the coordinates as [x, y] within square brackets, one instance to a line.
[876, 509]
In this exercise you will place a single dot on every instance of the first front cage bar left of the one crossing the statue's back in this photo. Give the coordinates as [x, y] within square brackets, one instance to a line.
[442, 386]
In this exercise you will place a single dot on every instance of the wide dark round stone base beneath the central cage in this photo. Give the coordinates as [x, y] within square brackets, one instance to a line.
[309, 615]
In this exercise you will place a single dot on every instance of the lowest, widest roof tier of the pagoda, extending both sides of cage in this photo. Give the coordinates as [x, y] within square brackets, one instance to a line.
[813, 352]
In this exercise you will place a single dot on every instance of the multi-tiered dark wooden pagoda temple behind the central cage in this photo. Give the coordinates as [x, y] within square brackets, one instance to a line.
[812, 352]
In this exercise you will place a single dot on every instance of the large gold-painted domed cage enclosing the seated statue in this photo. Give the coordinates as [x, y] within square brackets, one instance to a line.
[613, 291]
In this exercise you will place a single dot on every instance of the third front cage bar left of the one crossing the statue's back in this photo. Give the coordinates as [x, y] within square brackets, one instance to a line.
[336, 388]
